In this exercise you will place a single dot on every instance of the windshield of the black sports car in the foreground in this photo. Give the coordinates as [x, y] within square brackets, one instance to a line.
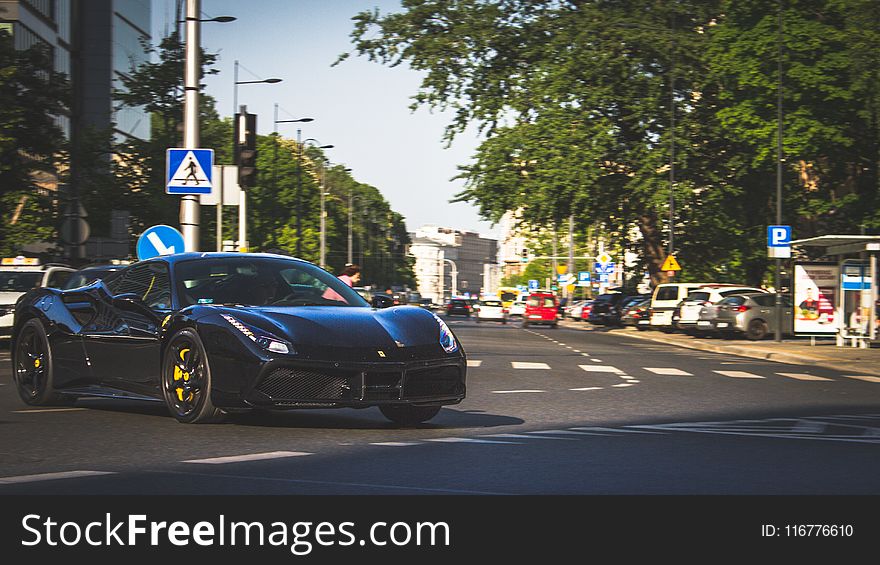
[260, 281]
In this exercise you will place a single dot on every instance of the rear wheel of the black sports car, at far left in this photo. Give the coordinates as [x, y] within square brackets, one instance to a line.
[32, 367]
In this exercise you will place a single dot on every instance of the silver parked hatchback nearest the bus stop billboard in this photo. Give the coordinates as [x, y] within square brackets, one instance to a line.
[753, 315]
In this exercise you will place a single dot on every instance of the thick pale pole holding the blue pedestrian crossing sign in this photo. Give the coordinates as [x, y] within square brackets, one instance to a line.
[189, 203]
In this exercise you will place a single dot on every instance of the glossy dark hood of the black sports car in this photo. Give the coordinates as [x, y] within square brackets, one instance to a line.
[339, 326]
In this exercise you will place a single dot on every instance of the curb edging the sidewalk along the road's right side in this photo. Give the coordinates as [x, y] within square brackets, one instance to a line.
[777, 356]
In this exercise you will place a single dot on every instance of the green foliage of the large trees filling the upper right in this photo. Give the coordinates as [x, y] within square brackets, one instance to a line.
[577, 98]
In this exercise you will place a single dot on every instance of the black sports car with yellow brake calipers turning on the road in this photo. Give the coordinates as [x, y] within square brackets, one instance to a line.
[213, 332]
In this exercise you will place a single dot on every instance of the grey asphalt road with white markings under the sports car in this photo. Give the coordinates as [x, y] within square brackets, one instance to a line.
[549, 411]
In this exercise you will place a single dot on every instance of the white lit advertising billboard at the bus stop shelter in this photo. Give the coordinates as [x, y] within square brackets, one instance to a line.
[815, 288]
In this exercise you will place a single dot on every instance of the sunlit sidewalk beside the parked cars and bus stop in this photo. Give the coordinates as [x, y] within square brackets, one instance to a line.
[797, 351]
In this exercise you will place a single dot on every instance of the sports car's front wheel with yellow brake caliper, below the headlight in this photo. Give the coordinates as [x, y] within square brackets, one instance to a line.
[184, 363]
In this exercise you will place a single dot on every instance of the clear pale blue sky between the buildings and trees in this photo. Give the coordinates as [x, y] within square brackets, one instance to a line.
[360, 107]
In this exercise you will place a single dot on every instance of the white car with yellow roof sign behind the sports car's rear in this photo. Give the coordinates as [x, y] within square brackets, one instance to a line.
[20, 274]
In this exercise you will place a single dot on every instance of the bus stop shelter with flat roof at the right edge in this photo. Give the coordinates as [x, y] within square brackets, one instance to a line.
[856, 308]
